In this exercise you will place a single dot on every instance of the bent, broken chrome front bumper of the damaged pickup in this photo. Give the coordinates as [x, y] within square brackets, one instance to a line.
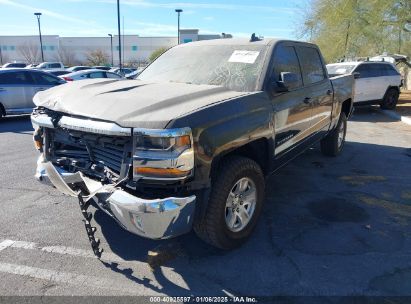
[154, 219]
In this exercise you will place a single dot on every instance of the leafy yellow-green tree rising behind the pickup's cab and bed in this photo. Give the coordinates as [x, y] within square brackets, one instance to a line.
[356, 28]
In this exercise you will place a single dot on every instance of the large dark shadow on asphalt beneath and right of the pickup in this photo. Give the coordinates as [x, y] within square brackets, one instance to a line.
[330, 226]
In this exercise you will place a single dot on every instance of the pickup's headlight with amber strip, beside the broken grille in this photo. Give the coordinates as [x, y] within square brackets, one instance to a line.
[163, 154]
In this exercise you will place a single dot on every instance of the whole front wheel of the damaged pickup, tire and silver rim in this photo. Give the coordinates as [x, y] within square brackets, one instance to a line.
[235, 203]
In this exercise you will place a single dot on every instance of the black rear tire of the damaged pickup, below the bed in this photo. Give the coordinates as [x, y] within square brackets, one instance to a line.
[330, 145]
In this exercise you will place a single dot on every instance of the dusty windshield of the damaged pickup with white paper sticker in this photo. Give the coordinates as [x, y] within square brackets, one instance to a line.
[234, 67]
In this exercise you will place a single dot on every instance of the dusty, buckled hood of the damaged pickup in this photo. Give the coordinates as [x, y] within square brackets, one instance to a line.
[131, 103]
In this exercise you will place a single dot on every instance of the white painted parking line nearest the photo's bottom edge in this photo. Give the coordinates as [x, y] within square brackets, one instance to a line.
[69, 278]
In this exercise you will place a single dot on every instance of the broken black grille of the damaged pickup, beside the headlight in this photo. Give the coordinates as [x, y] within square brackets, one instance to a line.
[87, 148]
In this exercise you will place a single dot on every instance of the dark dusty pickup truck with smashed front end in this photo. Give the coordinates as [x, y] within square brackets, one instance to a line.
[189, 143]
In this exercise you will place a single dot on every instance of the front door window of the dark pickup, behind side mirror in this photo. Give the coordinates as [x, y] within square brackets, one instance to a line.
[285, 60]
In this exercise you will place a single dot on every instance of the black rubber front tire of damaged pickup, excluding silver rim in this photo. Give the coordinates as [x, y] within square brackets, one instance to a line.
[212, 227]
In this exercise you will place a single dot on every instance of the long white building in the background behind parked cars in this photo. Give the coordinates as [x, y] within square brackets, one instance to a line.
[75, 50]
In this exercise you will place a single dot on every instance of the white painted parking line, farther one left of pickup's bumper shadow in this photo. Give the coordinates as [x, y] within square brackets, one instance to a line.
[60, 250]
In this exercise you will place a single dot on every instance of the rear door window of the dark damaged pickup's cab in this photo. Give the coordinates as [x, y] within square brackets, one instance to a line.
[311, 65]
